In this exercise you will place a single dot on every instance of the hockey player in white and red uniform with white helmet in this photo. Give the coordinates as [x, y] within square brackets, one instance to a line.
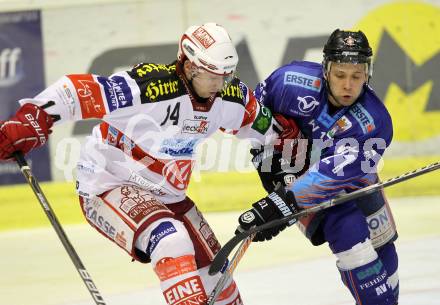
[135, 168]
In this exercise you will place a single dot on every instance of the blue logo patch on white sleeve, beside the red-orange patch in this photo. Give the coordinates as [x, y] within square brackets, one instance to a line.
[117, 92]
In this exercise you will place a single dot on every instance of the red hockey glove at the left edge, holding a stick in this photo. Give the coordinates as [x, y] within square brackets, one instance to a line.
[28, 129]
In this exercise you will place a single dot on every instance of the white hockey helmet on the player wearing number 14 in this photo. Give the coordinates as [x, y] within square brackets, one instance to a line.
[208, 47]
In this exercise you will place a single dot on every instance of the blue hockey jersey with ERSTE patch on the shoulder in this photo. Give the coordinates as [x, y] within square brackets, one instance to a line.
[347, 144]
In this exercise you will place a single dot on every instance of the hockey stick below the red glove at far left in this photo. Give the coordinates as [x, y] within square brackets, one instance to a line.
[25, 169]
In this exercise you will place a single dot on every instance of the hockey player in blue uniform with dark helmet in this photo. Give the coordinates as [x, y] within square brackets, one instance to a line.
[350, 128]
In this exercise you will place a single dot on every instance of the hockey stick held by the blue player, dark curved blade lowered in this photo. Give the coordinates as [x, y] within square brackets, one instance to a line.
[224, 252]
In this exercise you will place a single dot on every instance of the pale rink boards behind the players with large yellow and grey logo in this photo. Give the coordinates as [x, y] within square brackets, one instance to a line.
[102, 37]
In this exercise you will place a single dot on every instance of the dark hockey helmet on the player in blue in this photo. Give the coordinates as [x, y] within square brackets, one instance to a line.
[347, 47]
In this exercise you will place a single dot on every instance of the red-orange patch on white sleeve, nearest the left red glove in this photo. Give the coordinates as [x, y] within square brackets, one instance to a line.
[89, 95]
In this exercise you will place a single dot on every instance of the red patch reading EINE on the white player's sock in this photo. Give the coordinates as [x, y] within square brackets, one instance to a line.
[187, 292]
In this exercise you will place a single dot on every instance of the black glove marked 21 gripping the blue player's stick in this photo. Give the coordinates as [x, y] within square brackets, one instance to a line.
[276, 205]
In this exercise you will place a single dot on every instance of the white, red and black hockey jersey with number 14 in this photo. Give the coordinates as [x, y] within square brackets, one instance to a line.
[150, 126]
